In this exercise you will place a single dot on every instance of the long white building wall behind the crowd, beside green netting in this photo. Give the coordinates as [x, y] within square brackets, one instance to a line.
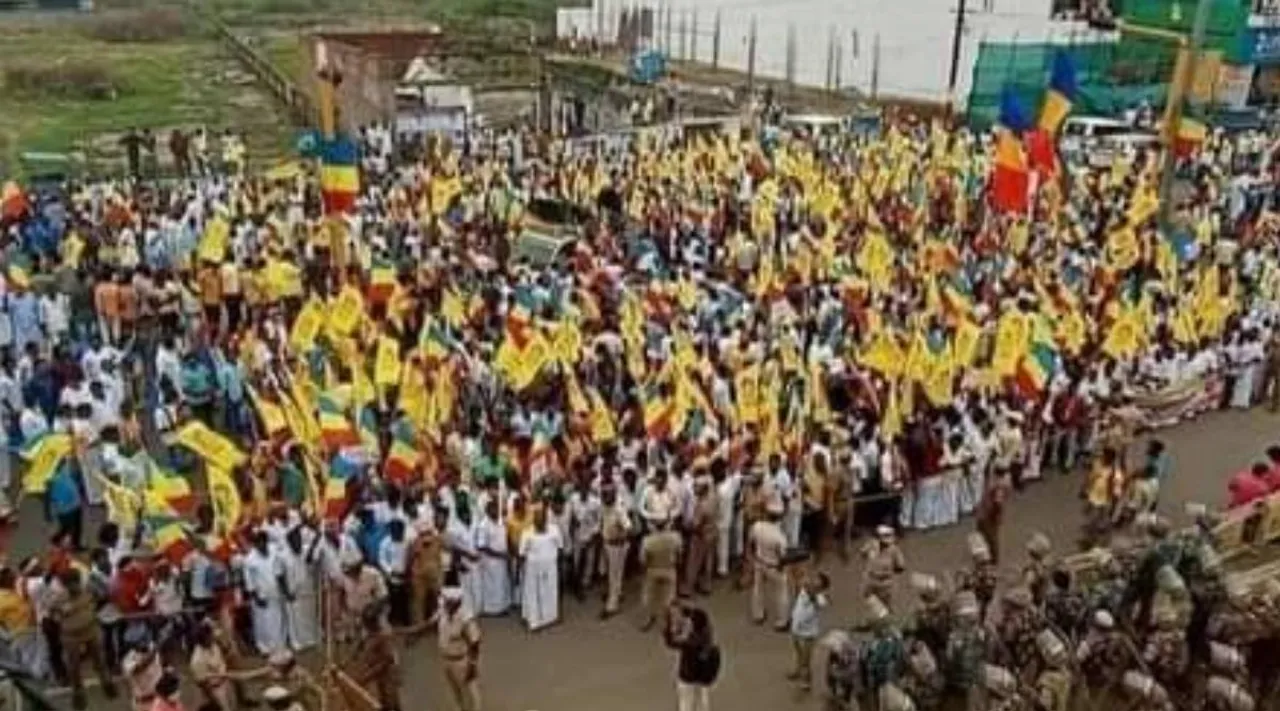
[915, 38]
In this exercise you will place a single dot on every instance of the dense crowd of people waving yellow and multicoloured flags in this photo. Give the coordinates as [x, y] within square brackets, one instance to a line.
[757, 347]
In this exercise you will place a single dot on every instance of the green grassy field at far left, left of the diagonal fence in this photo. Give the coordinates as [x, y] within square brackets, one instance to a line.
[158, 85]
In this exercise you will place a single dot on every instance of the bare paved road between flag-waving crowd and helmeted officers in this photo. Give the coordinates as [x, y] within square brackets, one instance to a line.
[583, 663]
